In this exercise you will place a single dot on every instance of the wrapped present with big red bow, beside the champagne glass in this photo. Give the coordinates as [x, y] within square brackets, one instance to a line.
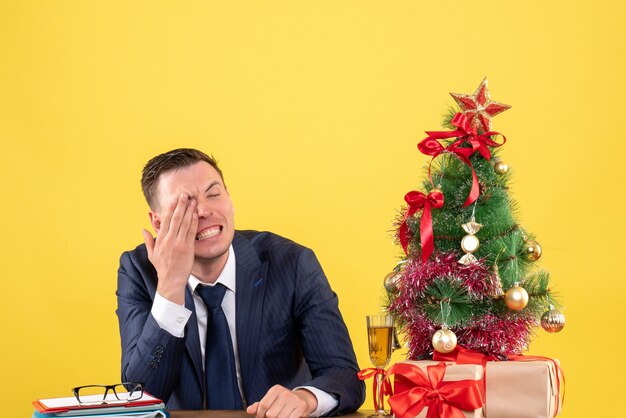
[428, 389]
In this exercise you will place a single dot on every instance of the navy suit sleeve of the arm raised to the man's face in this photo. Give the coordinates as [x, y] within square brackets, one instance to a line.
[150, 355]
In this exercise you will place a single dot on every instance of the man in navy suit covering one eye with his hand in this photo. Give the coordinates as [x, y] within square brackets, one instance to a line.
[276, 344]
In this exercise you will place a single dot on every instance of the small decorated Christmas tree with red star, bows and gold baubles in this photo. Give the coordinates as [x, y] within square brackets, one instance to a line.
[469, 274]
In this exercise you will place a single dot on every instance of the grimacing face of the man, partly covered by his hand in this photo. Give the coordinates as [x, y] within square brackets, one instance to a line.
[215, 209]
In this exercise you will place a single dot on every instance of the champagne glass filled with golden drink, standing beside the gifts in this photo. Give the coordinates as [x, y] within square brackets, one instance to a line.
[379, 336]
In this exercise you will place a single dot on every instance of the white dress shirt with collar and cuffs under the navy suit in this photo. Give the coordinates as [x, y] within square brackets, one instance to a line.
[173, 317]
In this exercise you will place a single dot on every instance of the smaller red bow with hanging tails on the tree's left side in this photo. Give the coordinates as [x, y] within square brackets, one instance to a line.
[416, 201]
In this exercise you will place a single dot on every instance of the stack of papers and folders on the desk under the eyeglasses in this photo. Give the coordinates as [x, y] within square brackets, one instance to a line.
[146, 407]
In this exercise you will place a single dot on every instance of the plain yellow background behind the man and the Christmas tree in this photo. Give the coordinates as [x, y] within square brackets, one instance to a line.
[314, 109]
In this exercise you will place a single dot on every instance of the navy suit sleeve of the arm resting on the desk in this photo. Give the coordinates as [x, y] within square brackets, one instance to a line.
[324, 337]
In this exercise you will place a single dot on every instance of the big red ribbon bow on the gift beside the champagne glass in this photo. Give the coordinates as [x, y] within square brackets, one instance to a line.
[443, 399]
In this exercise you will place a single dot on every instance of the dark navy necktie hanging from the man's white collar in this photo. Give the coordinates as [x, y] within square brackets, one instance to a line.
[222, 390]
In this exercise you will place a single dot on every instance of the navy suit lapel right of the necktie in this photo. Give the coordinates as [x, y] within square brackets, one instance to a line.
[251, 276]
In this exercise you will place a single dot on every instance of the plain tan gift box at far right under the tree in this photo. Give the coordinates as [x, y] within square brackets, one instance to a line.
[523, 388]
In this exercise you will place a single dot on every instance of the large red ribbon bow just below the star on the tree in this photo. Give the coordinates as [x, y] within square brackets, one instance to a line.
[466, 134]
